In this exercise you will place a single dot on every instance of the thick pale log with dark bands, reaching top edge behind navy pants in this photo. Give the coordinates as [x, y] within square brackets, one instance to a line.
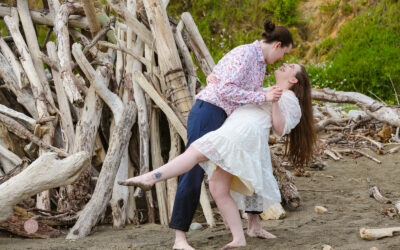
[170, 63]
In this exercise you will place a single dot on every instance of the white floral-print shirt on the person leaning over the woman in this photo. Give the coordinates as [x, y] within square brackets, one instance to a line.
[237, 79]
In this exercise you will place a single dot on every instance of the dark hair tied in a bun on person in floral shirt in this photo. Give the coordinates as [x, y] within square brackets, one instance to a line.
[274, 33]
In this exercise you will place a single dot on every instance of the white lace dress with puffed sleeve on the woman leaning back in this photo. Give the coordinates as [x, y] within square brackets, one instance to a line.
[240, 147]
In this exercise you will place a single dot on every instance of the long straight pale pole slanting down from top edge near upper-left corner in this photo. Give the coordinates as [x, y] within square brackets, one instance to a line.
[34, 49]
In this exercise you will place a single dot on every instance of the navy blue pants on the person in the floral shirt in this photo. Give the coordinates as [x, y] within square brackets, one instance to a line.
[203, 118]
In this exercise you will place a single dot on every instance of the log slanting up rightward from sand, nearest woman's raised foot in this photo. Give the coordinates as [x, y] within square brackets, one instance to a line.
[102, 193]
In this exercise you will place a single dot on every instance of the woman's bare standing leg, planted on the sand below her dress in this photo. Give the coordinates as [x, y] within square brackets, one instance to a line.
[220, 183]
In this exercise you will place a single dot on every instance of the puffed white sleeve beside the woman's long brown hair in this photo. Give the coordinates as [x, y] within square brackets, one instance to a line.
[290, 107]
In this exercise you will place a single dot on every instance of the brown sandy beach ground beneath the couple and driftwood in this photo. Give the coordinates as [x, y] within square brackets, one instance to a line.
[349, 208]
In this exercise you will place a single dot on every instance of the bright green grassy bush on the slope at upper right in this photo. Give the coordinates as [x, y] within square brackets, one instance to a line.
[365, 55]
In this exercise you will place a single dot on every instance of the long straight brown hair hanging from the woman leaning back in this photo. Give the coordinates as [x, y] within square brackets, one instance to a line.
[300, 142]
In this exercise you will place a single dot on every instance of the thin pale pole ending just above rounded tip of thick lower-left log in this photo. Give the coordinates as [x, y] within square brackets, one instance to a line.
[63, 105]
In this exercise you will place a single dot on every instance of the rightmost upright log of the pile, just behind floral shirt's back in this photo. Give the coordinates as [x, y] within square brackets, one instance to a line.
[199, 48]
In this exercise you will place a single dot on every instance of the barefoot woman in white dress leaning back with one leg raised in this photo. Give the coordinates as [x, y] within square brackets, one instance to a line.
[236, 156]
